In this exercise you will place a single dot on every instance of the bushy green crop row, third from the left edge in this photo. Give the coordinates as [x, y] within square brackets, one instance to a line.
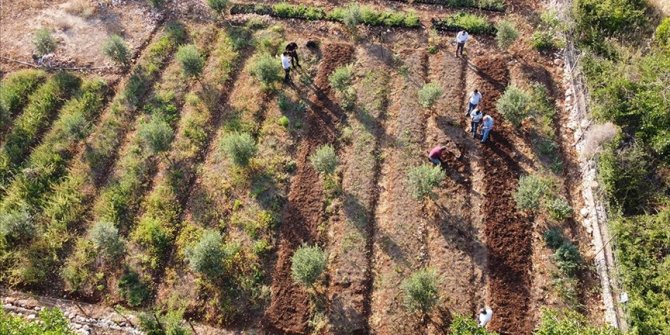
[49, 161]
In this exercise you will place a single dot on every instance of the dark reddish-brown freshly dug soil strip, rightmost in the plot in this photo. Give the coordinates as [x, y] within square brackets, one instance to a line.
[508, 234]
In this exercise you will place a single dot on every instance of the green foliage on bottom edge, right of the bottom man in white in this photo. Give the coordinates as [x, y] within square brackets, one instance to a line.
[563, 322]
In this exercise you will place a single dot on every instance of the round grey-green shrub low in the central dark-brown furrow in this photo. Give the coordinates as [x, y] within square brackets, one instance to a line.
[307, 265]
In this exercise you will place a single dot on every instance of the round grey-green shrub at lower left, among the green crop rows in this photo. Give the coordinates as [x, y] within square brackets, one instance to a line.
[208, 256]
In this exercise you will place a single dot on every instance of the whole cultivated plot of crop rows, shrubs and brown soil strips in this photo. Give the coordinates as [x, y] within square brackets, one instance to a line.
[198, 185]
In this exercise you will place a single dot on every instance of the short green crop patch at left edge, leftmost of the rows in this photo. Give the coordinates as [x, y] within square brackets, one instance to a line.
[14, 92]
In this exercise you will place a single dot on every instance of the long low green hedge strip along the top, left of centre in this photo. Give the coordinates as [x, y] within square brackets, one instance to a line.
[352, 14]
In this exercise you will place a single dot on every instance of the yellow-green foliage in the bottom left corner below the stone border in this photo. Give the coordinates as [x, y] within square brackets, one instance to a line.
[50, 321]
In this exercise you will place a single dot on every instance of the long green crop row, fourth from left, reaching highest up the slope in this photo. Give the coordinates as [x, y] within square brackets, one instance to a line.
[69, 198]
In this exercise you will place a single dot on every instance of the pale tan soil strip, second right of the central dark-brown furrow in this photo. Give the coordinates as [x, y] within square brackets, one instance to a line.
[398, 247]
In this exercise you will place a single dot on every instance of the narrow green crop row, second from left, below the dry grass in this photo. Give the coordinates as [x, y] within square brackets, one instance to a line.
[43, 105]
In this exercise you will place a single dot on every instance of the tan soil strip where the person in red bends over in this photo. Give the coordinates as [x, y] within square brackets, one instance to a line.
[453, 244]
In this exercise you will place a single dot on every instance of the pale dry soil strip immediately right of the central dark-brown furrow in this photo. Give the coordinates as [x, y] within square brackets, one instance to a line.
[352, 227]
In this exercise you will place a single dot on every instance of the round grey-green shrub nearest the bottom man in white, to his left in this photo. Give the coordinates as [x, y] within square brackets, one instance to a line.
[420, 290]
